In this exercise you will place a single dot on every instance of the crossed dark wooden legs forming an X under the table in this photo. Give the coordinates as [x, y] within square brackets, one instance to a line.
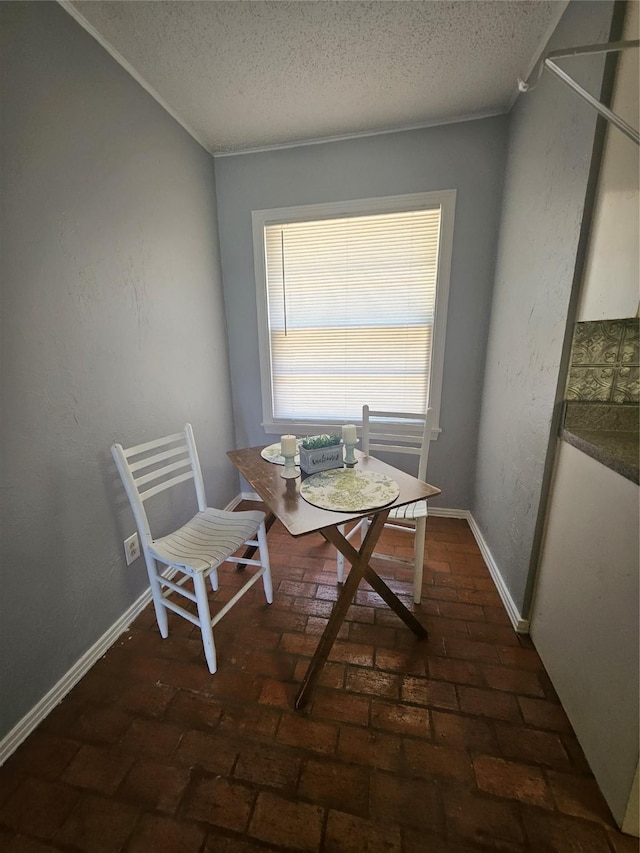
[359, 568]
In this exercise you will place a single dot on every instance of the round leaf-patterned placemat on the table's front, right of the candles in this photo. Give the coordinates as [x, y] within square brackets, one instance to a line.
[349, 490]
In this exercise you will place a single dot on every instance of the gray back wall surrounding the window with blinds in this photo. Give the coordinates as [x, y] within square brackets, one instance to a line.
[468, 157]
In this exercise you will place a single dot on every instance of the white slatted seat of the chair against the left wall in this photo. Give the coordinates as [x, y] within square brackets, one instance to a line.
[207, 539]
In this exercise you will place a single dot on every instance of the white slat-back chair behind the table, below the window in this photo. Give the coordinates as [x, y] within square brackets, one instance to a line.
[407, 433]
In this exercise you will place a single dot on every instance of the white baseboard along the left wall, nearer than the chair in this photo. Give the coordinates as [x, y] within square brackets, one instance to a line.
[36, 715]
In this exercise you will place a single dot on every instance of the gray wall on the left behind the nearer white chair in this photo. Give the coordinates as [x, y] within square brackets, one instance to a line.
[112, 329]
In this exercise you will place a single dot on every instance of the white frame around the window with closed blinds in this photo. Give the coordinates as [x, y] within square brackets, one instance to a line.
[444, 199]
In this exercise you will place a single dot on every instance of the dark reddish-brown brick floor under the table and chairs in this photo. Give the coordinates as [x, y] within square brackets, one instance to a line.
[457, 744]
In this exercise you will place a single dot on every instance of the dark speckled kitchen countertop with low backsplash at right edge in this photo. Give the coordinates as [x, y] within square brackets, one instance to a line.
[608, 432]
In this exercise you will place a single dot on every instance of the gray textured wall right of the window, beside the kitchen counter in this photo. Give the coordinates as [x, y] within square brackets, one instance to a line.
[550, 141]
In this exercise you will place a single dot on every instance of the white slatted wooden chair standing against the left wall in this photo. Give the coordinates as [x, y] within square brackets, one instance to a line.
[196, 549]
